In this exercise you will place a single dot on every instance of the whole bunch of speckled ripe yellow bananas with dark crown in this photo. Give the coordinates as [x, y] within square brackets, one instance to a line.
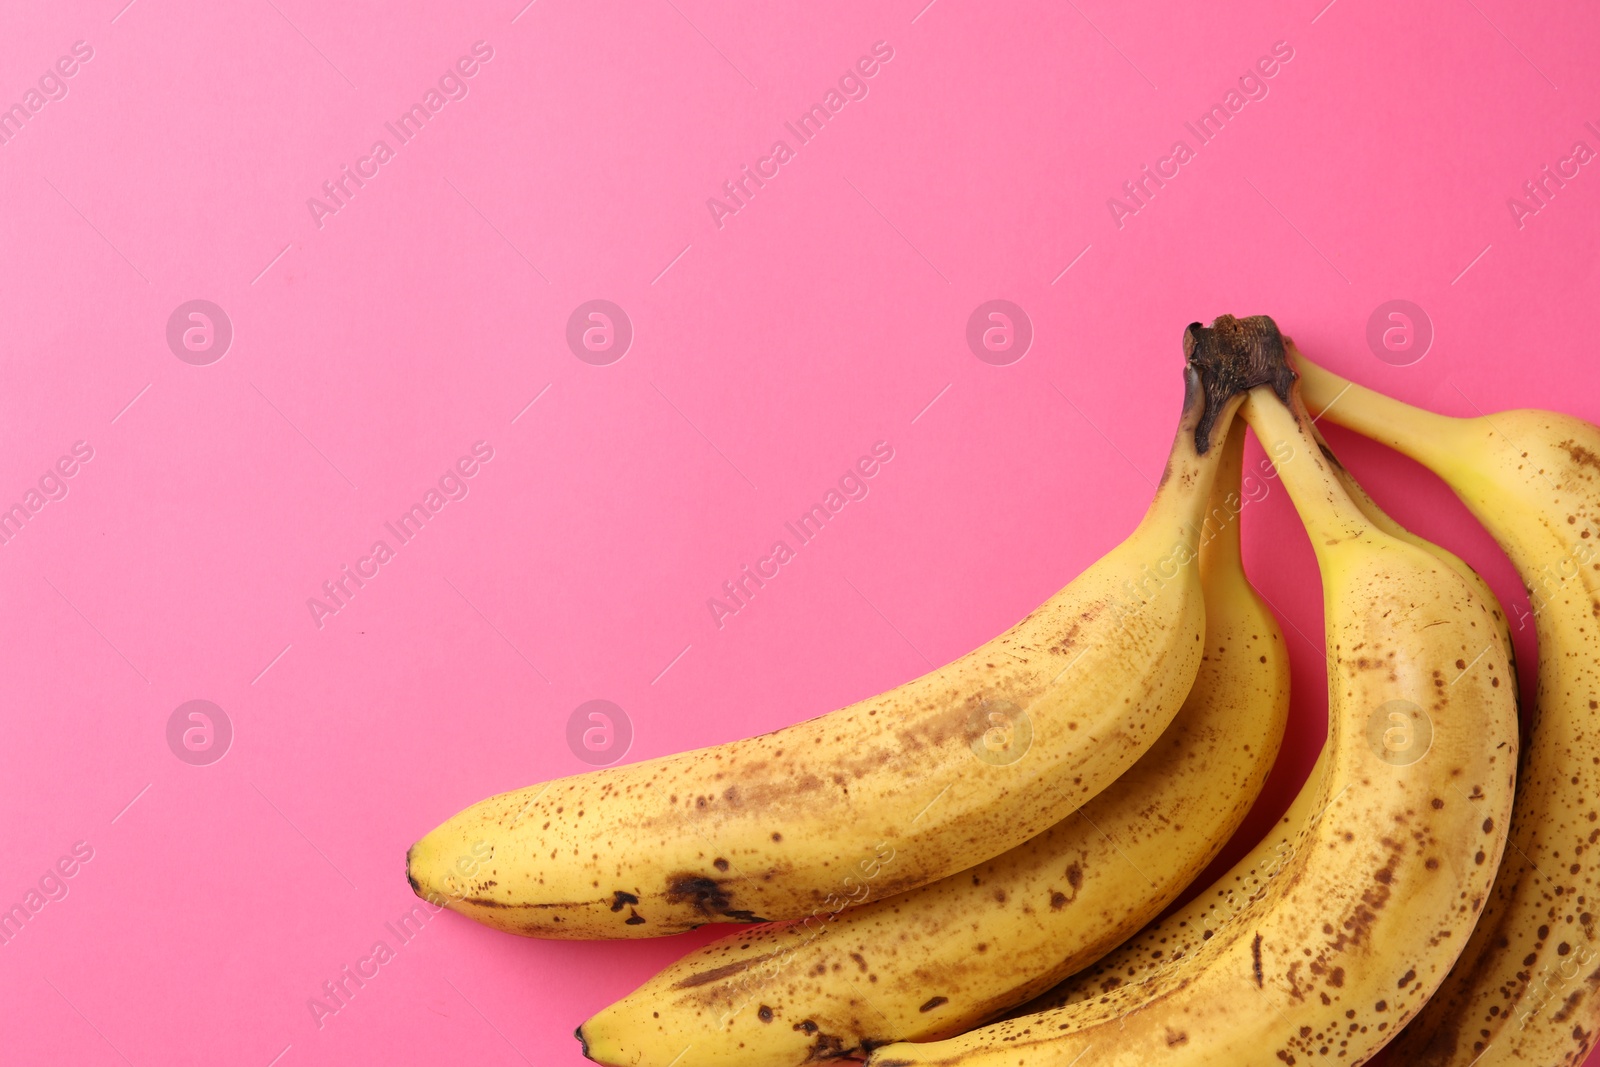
[975, 868]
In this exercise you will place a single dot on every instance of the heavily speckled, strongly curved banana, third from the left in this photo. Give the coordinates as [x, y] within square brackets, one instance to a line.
[1388, 871]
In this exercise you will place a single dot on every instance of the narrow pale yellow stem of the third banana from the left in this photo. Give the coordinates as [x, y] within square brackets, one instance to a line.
[1319, 497]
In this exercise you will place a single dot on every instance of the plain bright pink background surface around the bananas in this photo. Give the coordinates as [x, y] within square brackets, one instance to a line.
[826, 316]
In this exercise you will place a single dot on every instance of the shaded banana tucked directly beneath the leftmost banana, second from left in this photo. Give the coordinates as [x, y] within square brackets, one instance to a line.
[953, 954]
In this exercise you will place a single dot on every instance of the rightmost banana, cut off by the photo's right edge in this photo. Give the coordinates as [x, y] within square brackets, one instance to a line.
[1526, 989]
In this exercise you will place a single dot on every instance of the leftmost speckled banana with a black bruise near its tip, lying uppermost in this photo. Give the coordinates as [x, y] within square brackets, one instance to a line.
[881, 797]
